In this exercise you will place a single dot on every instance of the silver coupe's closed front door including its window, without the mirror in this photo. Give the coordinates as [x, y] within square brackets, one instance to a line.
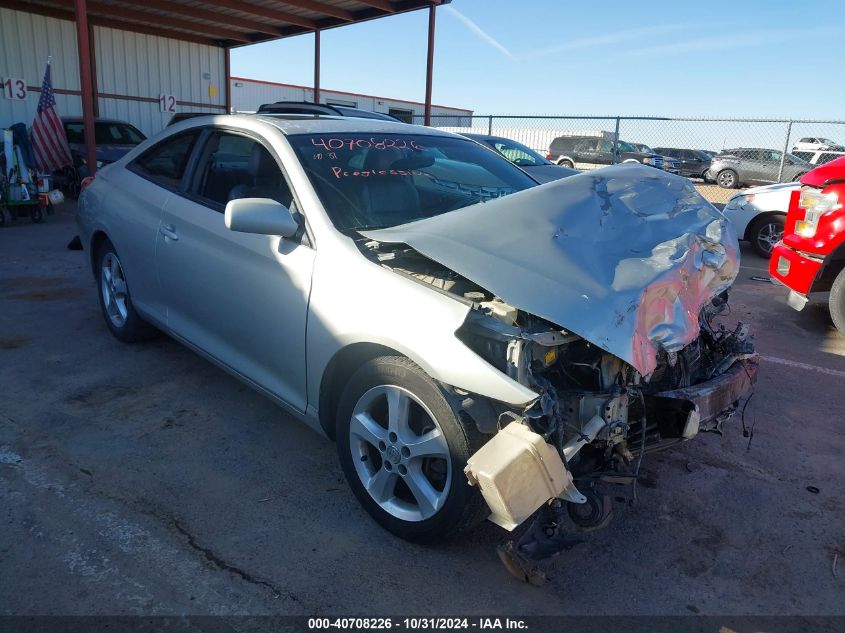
[240, 298]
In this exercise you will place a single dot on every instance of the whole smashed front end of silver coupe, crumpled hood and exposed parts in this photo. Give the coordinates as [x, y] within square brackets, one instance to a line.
[604, 293]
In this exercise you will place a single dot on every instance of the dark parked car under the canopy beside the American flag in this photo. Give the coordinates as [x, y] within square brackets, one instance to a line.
[114, 138]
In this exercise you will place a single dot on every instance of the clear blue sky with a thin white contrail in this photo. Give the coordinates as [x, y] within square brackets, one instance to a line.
[749, 58]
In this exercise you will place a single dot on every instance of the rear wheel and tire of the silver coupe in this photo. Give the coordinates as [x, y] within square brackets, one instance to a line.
[115, 300]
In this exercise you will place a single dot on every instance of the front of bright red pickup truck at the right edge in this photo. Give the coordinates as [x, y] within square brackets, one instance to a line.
[811, 255]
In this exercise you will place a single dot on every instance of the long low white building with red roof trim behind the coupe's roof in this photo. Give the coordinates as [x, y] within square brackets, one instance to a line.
[249, 94]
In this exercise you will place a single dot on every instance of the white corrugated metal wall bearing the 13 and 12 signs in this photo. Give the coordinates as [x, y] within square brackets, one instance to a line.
[133, 70]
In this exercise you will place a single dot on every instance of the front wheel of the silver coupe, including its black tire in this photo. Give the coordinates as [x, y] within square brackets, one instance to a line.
[403, 450]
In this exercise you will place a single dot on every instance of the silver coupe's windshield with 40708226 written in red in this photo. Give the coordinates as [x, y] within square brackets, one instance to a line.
[368, 181]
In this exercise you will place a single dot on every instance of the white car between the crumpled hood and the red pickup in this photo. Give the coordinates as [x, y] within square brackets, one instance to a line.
[759, 214]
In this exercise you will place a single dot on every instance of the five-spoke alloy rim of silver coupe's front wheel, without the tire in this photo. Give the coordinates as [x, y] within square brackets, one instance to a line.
[400, 453]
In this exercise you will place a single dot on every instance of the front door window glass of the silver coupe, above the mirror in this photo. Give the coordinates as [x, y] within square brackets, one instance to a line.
[233, 166]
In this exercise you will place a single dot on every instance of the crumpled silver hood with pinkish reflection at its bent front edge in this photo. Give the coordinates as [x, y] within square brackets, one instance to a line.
[625, 256]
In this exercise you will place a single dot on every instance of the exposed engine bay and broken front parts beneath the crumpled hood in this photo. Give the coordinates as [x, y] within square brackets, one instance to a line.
[598, 412]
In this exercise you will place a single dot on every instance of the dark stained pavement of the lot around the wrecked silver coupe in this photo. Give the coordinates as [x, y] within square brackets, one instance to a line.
[143, 480]
